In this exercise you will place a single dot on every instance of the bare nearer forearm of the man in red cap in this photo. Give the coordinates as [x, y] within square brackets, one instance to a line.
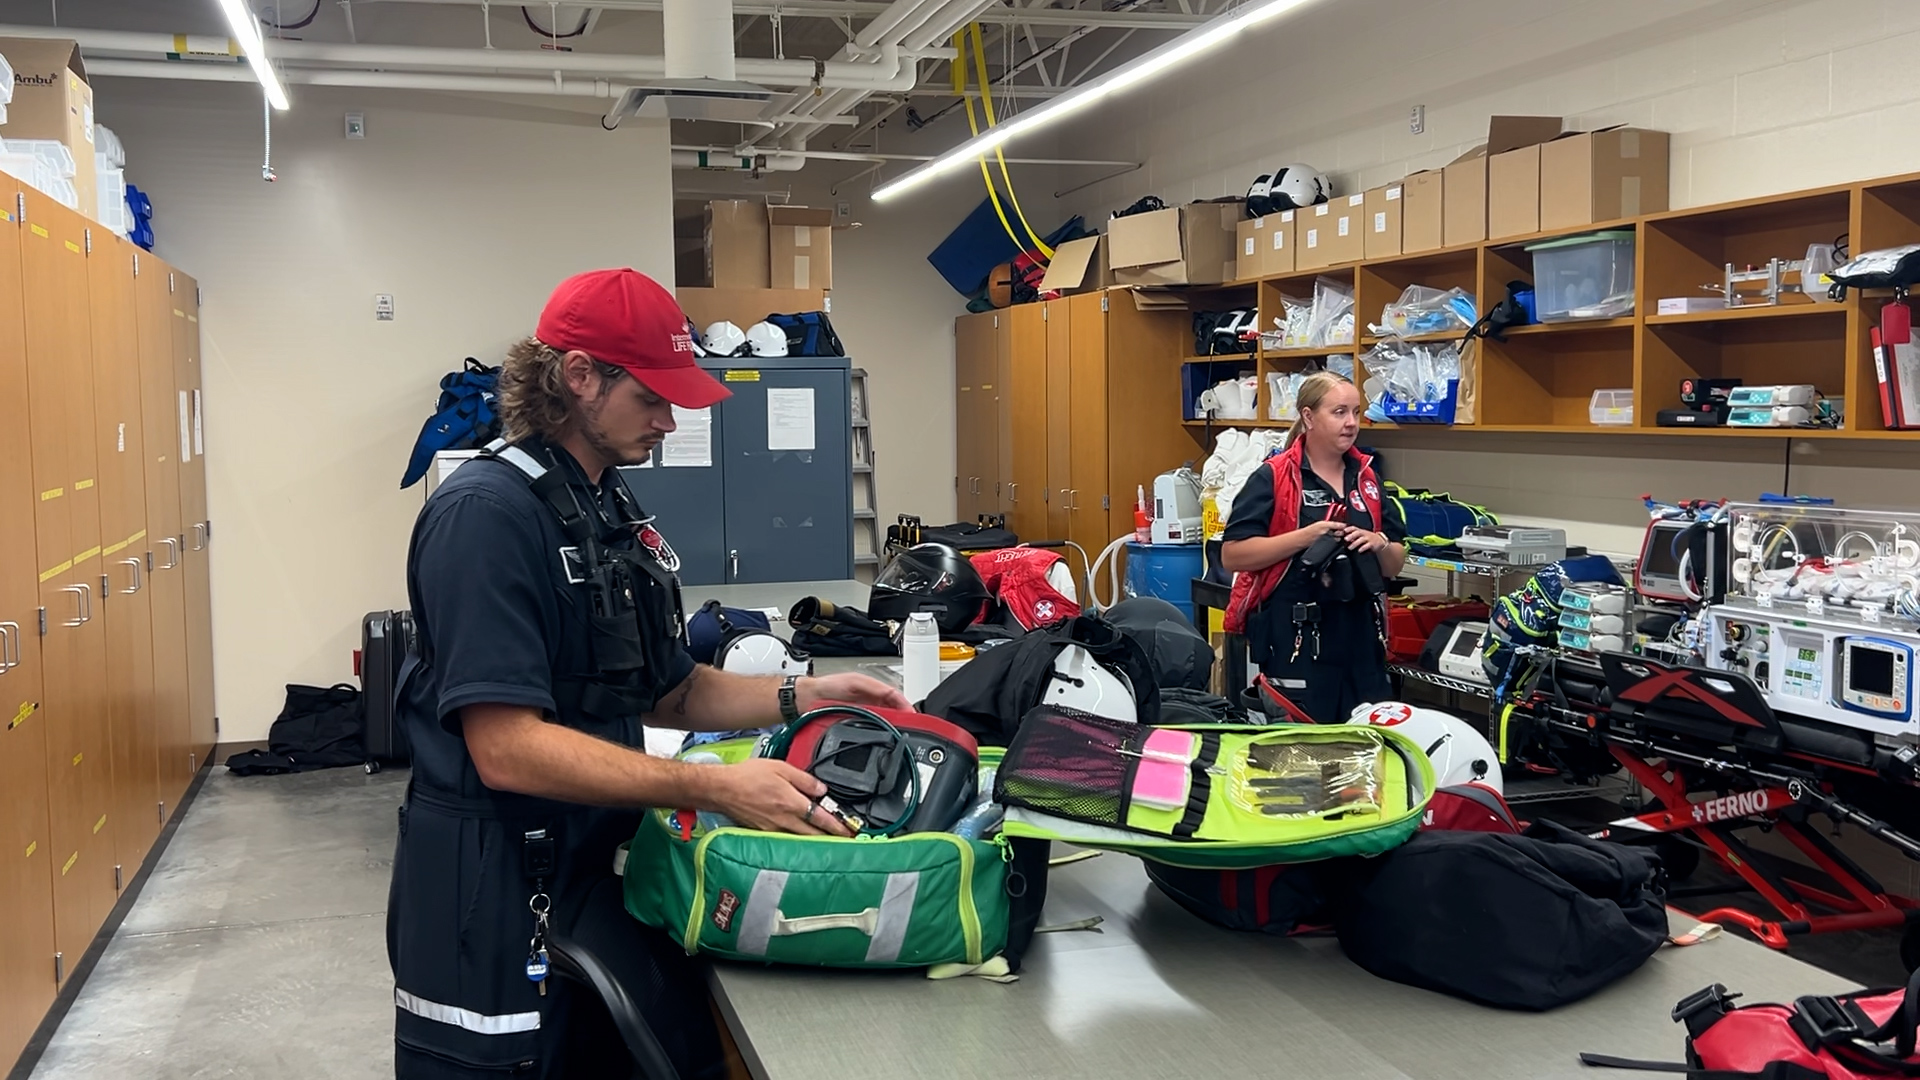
[516, 750]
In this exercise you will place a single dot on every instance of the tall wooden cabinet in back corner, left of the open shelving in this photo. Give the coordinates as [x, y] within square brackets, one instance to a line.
[1086, 408]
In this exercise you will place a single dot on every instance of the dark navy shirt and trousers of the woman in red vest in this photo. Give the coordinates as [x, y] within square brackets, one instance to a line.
[1353, 664]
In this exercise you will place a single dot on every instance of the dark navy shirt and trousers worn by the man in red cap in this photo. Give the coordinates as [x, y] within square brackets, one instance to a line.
[502, 624]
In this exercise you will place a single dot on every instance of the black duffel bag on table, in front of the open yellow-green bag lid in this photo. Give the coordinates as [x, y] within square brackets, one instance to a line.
[1524, 921]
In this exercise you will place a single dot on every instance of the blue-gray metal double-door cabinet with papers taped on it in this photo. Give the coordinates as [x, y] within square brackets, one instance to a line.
[777, 501]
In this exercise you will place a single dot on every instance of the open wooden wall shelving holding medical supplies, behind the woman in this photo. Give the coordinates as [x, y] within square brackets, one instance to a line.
[1541, 380]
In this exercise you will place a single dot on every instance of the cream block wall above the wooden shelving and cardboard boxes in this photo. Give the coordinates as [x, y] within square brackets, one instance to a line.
[1762, 97]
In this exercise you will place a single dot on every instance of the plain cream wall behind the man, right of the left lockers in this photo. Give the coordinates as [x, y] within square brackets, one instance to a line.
[468, 214]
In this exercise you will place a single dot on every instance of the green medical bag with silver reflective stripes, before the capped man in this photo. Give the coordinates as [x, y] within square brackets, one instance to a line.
[919, 900]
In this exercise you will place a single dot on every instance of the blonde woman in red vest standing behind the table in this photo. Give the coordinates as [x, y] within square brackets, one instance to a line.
[1312, 547]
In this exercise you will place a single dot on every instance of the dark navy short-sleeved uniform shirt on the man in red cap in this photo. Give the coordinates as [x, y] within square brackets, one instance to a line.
[496, 616]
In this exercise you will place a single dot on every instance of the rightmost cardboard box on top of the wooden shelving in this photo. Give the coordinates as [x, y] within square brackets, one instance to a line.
[1602, 176]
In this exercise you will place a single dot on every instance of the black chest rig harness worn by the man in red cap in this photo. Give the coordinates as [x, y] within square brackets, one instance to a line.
[631, 595]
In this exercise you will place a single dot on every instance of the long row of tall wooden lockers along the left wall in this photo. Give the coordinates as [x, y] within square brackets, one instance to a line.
[107, 677]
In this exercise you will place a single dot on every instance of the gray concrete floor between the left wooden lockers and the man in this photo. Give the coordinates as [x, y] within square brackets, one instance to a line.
[258, 946]
